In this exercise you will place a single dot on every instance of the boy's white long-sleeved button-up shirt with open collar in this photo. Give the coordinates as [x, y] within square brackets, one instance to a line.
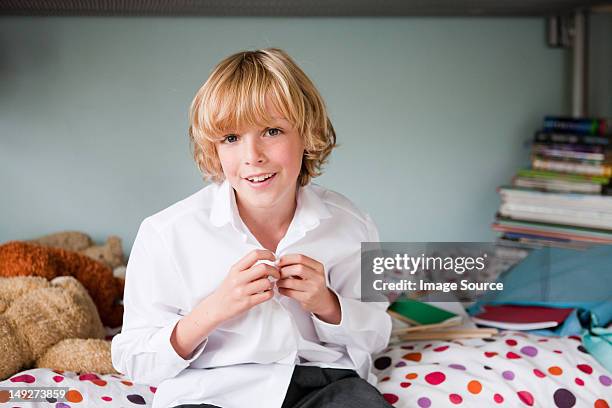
[183, 253]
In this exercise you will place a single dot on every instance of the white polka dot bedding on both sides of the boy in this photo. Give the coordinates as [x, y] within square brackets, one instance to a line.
[512, 369]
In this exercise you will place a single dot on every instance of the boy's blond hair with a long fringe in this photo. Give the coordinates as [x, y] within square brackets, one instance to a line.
[235, 95]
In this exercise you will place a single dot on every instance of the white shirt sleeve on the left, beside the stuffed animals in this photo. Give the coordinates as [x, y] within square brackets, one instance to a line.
[153, 289]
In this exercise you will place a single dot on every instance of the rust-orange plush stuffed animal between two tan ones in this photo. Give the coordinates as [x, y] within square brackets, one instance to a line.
[19, 258]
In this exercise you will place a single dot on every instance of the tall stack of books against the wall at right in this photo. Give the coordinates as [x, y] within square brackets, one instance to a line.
[565, 198]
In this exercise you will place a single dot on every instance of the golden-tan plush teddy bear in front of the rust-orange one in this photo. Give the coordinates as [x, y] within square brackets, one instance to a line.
[50, 324]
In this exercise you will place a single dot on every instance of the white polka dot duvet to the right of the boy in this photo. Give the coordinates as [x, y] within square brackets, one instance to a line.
[512, 369]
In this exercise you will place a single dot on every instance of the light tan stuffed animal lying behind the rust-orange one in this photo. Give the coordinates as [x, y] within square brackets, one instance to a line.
[111, 253]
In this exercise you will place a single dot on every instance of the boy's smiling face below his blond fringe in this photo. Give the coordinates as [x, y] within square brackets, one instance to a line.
[263, 163]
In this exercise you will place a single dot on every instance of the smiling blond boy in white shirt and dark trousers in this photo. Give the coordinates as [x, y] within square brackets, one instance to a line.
[247, 292]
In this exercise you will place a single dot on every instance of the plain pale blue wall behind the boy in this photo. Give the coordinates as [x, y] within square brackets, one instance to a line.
[431, 115]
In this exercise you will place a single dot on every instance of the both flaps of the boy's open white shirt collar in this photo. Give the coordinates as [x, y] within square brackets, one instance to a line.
[310, 209]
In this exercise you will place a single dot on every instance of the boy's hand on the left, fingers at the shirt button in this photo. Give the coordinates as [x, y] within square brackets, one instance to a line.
[246, 285]
